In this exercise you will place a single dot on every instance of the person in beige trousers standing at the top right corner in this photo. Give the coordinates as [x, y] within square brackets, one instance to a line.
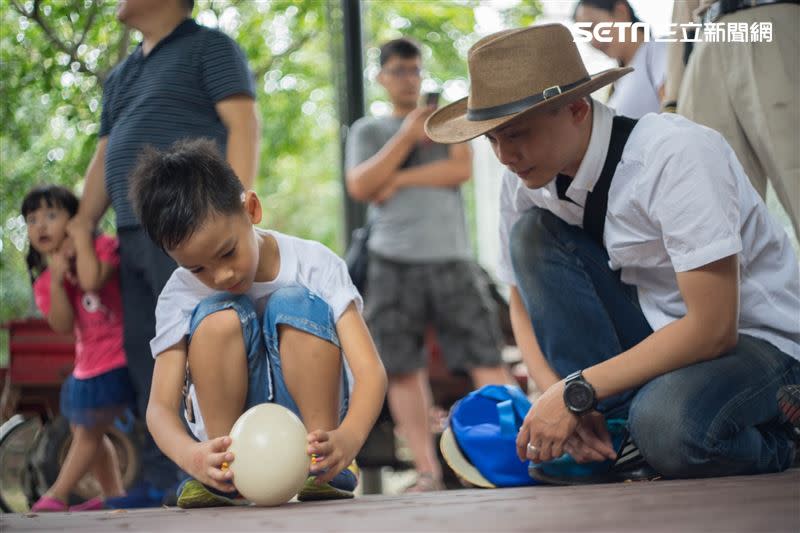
[748, 91]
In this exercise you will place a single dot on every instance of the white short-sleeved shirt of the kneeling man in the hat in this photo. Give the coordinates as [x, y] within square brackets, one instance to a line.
[679, 200]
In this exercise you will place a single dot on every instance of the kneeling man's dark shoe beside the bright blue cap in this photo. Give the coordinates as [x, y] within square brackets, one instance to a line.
[629, 465]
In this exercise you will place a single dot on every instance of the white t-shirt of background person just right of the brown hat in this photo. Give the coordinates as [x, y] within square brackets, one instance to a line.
[636, 94]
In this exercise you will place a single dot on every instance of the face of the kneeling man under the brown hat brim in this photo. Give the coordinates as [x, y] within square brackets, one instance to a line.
[538, 146]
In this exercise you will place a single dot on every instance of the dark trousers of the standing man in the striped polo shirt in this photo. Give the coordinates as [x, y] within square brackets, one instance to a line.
[144, 270]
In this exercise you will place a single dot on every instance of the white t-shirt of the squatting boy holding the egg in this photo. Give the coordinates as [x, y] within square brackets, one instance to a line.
[305, 263]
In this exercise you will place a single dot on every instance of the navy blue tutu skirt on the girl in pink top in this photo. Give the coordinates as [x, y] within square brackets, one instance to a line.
[98, 400]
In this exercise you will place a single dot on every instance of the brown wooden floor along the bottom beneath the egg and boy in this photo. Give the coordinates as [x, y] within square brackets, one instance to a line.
[758, 503]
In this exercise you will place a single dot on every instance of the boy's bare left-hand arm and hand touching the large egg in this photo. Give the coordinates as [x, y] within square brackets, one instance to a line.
[201, 460]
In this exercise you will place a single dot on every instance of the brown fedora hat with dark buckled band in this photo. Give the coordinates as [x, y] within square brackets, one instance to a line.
[513, 72]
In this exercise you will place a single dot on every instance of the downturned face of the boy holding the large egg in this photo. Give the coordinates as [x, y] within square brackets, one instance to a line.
[224, 253]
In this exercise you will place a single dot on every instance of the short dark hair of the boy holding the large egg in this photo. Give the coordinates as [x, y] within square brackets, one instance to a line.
[175, 191]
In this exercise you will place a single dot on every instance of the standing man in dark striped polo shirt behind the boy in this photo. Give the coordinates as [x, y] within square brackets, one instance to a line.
[183, 80]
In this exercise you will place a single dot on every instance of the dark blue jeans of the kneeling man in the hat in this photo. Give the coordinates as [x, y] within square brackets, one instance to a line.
[713, 418]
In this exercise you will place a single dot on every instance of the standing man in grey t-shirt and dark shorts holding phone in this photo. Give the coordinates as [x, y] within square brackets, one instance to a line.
[421, 271]
